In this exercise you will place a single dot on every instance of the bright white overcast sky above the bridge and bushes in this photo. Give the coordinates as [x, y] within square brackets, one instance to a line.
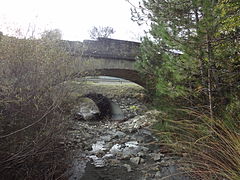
[73, 17]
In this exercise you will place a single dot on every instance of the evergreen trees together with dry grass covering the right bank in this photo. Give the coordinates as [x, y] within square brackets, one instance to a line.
[191, 60]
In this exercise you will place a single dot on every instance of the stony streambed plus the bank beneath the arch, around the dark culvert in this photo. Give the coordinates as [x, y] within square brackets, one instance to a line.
[113, 149]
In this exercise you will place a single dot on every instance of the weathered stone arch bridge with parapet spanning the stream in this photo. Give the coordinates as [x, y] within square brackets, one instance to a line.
[106, 57]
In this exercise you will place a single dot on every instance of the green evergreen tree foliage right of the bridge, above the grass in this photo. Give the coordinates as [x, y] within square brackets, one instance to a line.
[192, 49]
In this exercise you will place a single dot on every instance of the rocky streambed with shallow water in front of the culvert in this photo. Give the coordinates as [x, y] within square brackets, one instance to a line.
[112, 150]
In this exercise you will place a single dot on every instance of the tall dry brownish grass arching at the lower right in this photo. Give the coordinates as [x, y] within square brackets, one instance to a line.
[210, 148]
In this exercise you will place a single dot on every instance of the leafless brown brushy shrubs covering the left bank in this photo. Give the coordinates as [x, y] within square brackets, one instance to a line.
[31, 120]
